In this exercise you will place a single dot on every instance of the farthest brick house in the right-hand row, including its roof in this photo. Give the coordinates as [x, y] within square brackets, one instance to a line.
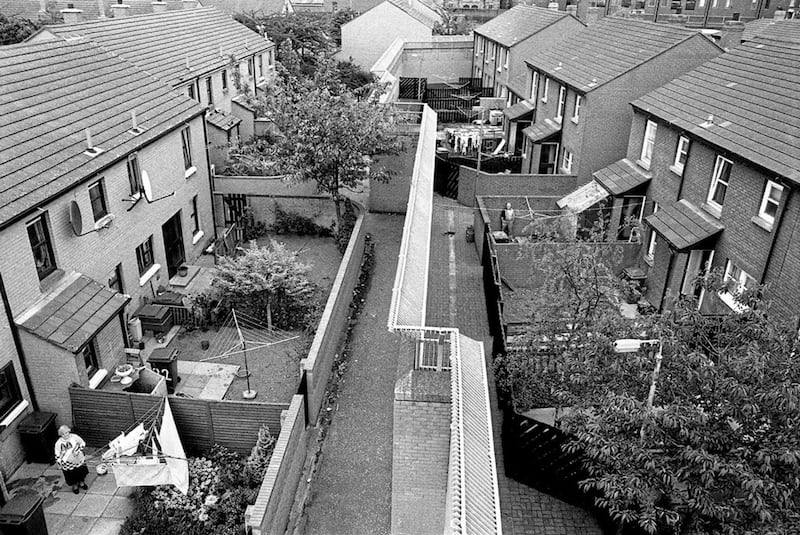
[500, 49]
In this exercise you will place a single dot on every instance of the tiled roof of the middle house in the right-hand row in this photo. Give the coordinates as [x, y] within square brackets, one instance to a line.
[606, 50]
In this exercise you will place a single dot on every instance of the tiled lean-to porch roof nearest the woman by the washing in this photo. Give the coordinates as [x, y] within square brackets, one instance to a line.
[73, 312]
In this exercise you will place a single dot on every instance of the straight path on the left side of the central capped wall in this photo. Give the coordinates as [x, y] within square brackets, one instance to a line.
[351, 492]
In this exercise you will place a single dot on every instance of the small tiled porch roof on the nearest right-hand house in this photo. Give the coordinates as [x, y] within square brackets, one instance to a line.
[684, 225]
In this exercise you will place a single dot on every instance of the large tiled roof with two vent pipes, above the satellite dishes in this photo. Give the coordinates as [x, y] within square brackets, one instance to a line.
[52, 92]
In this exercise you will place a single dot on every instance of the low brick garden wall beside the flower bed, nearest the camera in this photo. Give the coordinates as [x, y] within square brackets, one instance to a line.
[272, 508]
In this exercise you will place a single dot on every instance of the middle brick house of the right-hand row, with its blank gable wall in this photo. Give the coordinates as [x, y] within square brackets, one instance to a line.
[583, 86]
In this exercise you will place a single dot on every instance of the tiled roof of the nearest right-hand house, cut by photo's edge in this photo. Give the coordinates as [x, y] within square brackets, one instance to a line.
[752, 93]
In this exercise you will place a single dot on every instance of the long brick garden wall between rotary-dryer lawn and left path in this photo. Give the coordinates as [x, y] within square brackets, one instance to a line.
[333, 323]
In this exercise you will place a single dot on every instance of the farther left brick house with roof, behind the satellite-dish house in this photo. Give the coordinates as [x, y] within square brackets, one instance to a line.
[191, 50]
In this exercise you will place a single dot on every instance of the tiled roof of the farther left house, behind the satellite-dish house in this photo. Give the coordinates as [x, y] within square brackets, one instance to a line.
[164, 43]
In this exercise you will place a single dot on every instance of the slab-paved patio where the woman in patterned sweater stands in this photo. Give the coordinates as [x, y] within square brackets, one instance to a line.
[101, 510]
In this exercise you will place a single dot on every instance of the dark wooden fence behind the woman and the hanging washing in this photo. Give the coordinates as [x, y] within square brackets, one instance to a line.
[99, 416]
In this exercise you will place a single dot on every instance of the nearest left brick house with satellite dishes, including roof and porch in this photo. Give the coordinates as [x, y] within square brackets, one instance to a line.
[106, 191]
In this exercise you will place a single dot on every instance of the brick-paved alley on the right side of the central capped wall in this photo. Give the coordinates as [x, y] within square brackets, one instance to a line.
[455, 287]
